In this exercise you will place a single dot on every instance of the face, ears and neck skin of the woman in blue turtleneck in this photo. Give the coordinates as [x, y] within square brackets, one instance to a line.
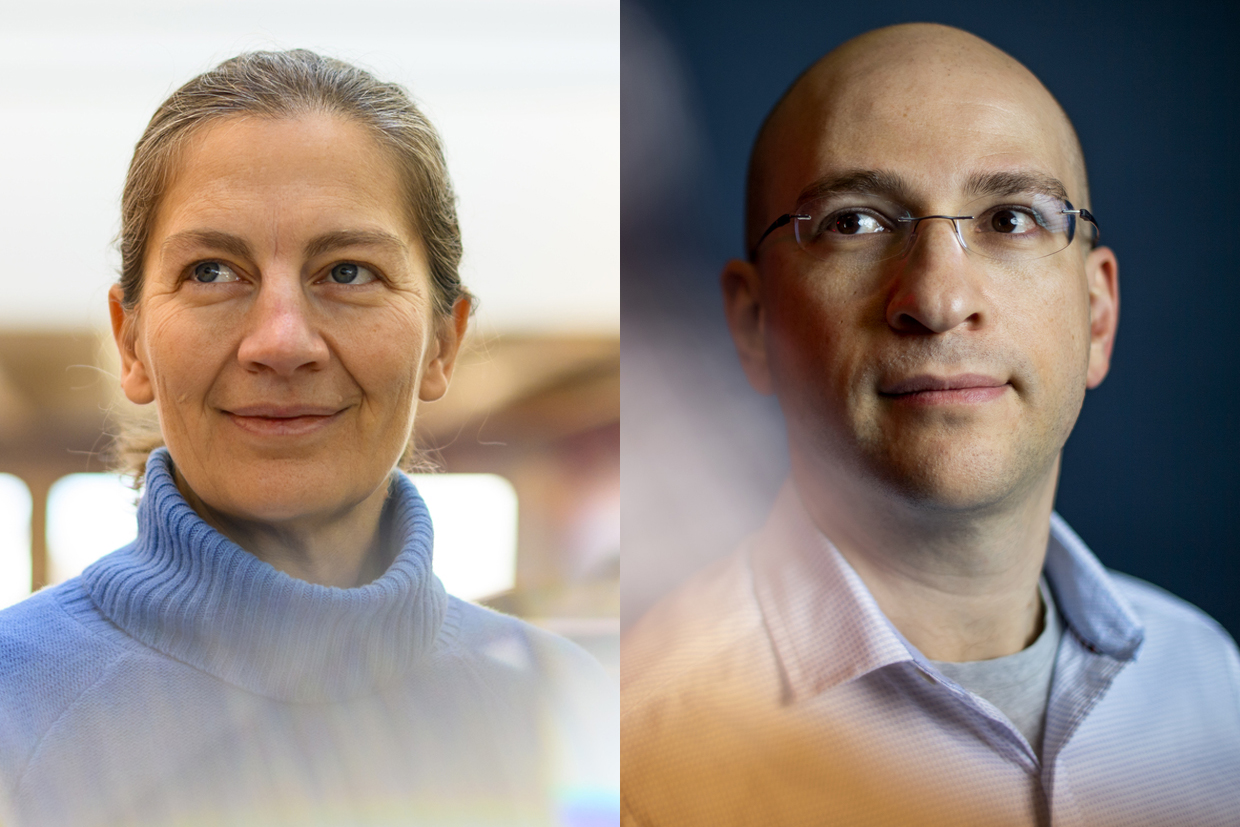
[286, 399]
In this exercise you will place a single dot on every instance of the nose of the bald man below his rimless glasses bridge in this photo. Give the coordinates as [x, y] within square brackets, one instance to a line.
[937, 287]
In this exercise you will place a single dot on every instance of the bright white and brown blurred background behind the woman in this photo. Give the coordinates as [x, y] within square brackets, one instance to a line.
[526, 95]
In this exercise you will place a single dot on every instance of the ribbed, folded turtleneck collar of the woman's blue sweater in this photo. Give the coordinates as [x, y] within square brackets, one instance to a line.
[189, 592]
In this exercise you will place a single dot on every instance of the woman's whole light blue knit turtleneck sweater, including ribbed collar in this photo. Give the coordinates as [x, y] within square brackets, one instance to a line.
[183, 681]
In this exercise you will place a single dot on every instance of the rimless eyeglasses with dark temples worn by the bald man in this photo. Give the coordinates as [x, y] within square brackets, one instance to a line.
[864, 229]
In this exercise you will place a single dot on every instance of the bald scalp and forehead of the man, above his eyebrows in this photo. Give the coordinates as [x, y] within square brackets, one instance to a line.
[896, 96]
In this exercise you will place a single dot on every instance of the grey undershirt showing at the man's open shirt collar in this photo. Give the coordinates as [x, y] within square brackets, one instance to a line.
[1017, 685]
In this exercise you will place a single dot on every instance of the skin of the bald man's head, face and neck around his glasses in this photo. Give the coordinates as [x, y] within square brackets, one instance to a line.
[941, 504]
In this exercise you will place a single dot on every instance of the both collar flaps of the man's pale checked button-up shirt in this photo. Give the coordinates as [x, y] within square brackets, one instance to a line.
[826, 628]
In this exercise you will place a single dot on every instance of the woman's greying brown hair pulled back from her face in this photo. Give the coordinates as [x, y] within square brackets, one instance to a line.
[287, 85]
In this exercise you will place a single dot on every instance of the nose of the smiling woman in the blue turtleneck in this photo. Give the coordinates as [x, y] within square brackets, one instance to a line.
[283, 328]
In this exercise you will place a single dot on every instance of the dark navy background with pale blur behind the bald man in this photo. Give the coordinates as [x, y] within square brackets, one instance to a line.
[1151, 474]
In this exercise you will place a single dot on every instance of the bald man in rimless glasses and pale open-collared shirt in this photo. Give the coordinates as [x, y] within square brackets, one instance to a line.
[914, 638]
